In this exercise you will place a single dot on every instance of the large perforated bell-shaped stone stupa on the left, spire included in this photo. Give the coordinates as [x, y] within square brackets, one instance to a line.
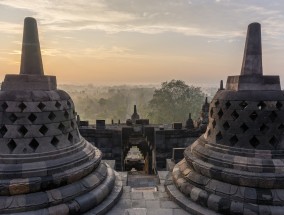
[46, 167]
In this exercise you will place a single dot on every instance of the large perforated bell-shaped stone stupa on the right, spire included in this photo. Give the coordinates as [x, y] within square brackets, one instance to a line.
[237, 166]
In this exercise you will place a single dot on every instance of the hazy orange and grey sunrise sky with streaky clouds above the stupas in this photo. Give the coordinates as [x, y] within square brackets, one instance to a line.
[142, 41]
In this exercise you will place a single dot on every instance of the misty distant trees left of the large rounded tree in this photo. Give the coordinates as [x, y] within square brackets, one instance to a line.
[108, 102]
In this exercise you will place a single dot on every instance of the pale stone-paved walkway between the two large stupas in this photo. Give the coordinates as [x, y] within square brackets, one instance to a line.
[146, 202]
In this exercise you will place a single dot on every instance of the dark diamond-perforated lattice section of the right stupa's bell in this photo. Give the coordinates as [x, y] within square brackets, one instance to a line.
[246, 124]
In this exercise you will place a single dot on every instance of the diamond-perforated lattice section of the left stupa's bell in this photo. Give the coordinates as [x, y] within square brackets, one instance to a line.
[37, 126]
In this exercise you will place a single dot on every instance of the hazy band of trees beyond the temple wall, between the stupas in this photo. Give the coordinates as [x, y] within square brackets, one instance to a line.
[170, 102]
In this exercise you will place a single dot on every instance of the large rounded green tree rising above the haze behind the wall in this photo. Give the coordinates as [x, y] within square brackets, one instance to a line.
[173, 101]
